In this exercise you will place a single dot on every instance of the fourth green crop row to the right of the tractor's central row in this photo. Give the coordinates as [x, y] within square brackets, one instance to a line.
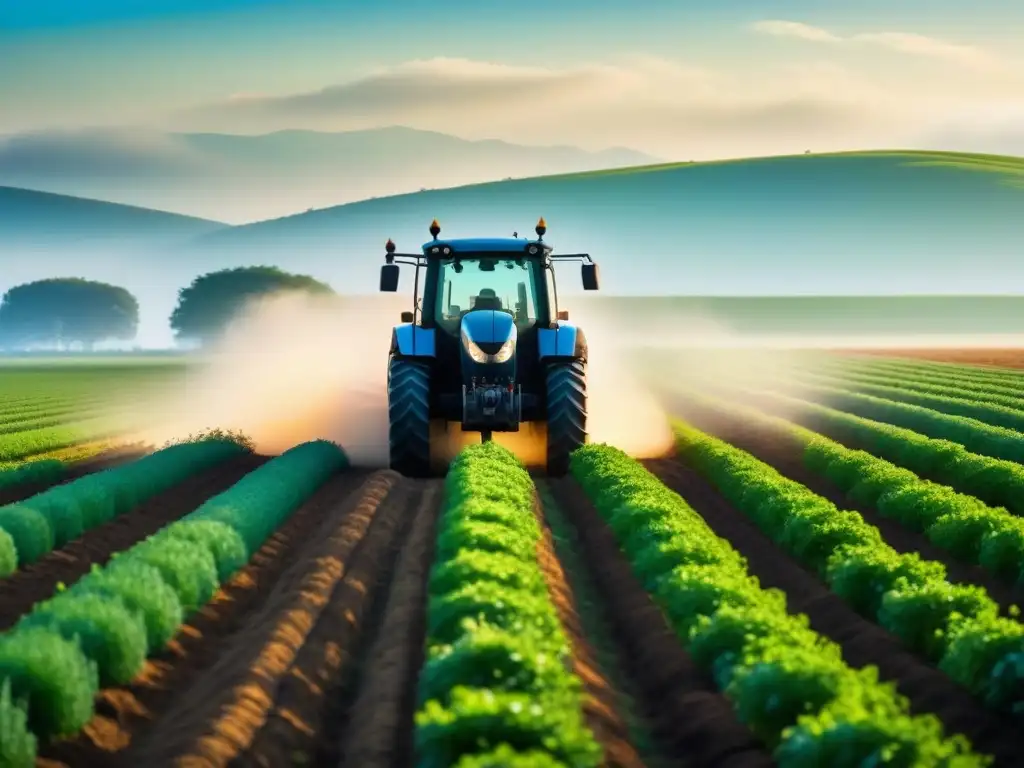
[993, 481]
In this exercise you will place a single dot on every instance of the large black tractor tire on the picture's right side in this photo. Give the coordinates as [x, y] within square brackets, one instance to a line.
[567, 414]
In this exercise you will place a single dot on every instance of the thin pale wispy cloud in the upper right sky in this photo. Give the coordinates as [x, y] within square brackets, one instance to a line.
[904, 42]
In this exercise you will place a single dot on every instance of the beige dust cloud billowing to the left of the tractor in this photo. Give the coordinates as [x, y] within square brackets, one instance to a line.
[292, 368]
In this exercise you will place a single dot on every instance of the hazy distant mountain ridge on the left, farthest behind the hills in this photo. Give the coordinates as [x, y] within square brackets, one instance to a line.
[245, 179]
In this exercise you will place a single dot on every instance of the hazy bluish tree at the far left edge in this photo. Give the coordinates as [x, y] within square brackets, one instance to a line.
[63, 312]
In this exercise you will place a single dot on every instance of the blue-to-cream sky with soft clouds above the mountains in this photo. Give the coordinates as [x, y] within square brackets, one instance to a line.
[678, 79]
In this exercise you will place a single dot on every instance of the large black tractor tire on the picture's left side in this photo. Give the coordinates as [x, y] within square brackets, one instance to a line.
[409, 416]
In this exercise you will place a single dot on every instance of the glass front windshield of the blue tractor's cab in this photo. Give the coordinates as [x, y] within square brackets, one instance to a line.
[487, 284]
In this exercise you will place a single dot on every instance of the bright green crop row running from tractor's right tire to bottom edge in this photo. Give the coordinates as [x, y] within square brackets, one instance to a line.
[788, 684]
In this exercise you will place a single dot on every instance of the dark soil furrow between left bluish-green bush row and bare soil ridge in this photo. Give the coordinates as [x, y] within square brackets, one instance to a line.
[168, 704]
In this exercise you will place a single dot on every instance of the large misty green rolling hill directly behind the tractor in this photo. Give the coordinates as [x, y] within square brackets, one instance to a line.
[871, 224]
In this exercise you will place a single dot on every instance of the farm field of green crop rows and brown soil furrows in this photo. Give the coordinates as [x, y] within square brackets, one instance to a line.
[826, 570]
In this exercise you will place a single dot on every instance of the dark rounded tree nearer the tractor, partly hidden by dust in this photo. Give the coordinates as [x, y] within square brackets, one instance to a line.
[206, 307]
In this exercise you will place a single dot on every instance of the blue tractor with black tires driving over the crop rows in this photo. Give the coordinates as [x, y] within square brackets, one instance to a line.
[487, 348]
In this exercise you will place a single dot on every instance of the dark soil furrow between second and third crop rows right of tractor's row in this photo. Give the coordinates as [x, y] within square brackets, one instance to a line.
[783, 453]
